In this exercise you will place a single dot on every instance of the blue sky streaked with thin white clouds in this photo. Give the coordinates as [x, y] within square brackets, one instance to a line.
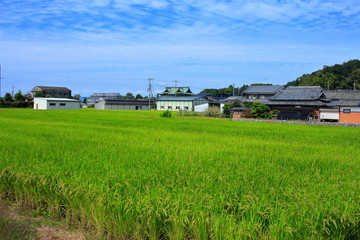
[115, 45]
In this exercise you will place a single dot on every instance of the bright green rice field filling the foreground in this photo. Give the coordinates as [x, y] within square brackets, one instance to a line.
[132, 174]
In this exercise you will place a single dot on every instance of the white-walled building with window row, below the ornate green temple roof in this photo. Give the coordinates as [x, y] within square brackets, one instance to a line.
[180, 103]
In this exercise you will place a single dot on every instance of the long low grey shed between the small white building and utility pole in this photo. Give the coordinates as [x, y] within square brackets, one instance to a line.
[123, 104]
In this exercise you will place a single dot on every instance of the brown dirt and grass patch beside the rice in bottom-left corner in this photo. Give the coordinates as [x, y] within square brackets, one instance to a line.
[18, 223]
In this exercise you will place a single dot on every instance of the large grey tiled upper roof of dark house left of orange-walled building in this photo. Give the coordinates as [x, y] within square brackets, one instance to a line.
[302, 93]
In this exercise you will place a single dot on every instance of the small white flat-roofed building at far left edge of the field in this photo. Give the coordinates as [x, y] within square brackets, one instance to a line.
[56, 103]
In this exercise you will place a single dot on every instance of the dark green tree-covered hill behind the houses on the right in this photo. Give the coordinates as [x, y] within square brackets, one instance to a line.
[338, 76]
